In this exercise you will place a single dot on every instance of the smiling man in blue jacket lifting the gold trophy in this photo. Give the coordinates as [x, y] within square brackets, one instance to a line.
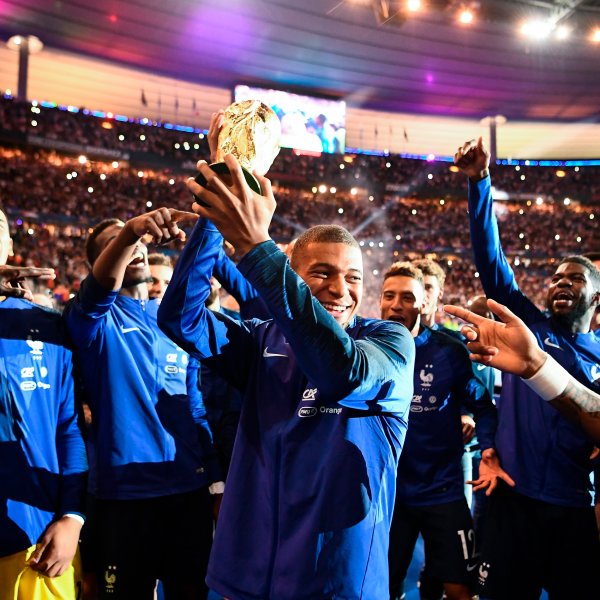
[310, 490]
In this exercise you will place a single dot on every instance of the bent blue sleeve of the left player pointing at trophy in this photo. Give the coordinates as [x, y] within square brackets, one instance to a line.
[85, 316]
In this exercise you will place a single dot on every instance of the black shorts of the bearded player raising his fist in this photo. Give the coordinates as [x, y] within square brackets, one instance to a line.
[529, 545]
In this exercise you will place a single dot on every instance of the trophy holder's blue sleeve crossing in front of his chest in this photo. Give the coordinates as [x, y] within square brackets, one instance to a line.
[372, 373]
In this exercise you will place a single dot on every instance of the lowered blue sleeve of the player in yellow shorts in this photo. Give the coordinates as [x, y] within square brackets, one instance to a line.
[70, 448]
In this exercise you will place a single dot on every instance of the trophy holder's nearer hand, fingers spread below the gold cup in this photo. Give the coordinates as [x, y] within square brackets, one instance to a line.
[239, 213]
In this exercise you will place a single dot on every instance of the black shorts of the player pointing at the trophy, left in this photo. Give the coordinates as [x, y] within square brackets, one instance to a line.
[139, 541]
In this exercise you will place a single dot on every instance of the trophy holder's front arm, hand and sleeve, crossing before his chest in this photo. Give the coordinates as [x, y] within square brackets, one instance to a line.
[338, 365]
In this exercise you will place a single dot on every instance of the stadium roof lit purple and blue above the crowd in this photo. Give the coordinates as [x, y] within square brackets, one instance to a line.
[369, 52]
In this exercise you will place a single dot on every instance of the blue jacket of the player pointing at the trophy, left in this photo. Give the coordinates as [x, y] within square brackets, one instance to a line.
[147, 432]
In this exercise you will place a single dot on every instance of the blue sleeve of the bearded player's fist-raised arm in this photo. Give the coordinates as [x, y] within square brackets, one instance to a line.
[497, 277]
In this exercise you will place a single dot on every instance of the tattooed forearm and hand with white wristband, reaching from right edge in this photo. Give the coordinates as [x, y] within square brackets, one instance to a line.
[511, 347]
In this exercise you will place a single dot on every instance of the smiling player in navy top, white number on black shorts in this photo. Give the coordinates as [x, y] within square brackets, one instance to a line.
[430, 498]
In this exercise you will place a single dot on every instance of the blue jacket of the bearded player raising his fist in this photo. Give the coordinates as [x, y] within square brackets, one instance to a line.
[547, 456]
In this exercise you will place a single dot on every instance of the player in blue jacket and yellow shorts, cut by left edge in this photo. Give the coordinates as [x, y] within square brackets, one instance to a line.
[43, 466]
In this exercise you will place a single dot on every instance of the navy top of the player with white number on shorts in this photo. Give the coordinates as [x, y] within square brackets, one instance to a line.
[430, 470]
